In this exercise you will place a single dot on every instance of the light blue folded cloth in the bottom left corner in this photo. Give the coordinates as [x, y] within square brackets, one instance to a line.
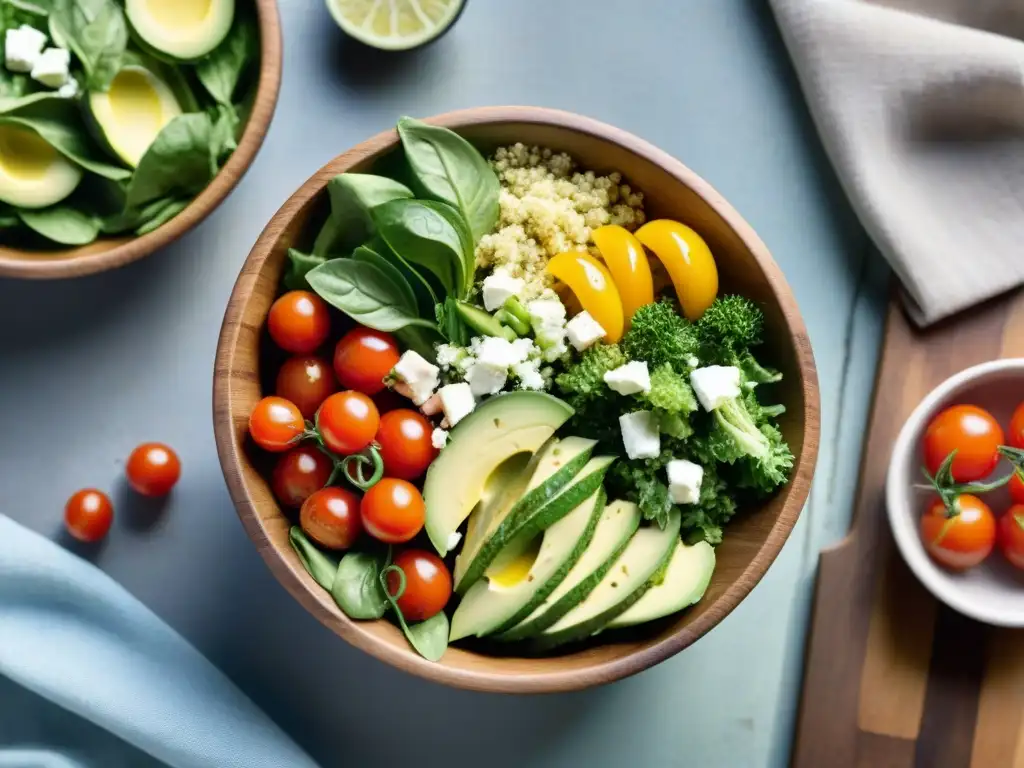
[71, 634]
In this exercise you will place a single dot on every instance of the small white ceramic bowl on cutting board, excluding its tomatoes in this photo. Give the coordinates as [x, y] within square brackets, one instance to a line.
[993, 592]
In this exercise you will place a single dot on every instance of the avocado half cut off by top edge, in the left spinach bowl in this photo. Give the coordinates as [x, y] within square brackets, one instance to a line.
[181, 30]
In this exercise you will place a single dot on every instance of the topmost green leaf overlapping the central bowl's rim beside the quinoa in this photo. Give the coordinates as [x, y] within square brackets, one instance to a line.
[447, 168]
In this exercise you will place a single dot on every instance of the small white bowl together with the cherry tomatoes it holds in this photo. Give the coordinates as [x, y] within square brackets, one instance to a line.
[956, 492]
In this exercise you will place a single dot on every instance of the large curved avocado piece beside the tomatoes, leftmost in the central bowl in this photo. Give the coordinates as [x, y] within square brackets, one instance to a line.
[500, 429]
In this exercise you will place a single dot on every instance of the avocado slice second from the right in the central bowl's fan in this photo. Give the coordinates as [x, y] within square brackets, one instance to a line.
[627, 581]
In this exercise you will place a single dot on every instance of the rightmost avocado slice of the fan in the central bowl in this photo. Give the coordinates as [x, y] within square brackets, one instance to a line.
[686, 581]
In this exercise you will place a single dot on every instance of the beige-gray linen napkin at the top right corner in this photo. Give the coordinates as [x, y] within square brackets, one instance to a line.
[920, 105]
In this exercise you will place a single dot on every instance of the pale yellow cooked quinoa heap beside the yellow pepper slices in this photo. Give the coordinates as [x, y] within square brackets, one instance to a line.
[546, 208]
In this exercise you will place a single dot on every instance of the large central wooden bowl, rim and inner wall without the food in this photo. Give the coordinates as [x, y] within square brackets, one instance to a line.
[753, 539]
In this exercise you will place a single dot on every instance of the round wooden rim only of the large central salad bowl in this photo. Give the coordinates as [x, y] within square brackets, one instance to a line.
[318, 603]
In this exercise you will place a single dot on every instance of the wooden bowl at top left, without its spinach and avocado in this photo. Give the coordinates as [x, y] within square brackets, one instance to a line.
[108, 253]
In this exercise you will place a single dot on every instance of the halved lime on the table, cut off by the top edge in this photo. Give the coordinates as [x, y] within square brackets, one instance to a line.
[395, 25]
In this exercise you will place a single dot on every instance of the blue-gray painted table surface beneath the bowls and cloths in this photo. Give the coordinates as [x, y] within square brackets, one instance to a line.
[92, 367]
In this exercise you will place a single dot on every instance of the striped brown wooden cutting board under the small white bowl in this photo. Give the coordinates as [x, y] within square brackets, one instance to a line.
[893, 679]
